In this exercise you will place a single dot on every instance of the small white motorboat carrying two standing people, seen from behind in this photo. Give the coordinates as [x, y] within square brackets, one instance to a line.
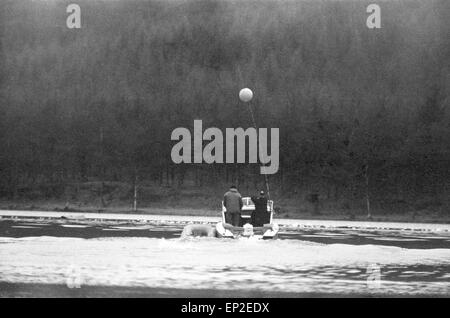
[267, 231]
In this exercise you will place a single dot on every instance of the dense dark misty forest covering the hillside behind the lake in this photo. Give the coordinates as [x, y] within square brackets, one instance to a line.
[363, 113]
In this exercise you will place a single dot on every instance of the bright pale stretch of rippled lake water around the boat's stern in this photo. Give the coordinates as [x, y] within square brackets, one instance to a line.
[323, 262]
